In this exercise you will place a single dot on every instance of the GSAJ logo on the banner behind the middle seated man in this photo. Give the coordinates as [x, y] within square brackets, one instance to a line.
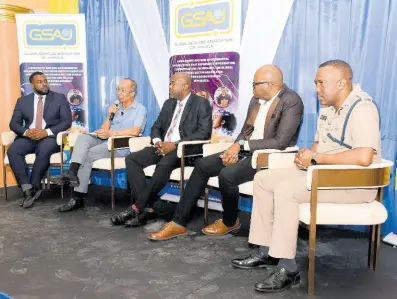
[204, 19]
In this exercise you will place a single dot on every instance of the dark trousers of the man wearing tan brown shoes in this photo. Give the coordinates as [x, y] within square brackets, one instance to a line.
[229, 179]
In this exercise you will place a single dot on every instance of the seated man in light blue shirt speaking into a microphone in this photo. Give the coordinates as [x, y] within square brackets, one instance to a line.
[128, 118]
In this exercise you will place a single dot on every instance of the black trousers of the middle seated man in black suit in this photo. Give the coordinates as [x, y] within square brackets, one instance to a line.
[146, 194]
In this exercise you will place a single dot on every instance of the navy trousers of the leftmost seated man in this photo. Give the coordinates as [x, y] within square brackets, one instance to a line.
[42, 148]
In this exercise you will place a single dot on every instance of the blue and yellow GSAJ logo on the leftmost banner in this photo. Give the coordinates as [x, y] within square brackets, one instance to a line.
[51, 35]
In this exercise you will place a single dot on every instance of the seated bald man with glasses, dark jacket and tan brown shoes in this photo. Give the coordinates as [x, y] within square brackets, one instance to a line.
[273, 120]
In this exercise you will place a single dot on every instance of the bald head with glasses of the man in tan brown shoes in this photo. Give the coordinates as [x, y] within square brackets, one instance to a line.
[268, 81]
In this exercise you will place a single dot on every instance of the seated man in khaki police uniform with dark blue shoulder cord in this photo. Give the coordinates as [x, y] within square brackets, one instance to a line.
[277, 192]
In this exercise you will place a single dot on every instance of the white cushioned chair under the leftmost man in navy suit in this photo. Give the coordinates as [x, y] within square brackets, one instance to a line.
[56, 160]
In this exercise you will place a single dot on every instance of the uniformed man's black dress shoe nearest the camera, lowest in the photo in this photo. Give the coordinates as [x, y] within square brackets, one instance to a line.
[279, 280]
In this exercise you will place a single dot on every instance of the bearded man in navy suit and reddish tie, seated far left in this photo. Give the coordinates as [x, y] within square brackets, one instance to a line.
[37, 119]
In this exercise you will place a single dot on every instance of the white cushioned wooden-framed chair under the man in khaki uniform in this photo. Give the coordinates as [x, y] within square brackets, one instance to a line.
[375, 176]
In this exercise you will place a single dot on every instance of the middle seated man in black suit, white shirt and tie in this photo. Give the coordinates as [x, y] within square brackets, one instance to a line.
[183, 117]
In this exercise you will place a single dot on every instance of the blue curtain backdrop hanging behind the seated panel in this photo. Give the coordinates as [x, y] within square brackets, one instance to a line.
[358, 31]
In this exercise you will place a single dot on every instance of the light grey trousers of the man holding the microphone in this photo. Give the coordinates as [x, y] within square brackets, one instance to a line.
[87, 150]
